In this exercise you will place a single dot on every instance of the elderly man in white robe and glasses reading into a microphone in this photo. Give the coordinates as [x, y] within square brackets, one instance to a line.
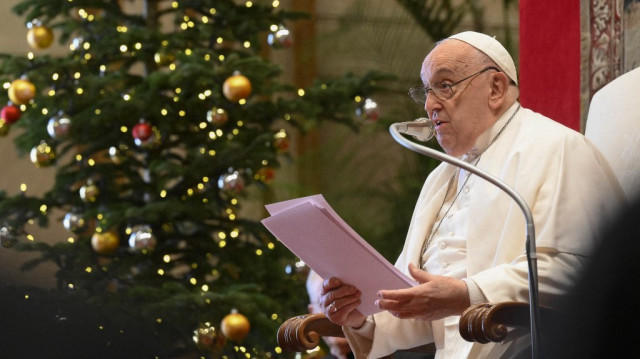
[466, 241]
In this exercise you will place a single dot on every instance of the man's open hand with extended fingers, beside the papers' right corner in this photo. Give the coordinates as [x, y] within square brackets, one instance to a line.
[434, 298]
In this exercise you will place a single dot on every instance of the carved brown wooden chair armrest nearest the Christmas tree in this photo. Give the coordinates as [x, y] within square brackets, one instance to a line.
[304, 332]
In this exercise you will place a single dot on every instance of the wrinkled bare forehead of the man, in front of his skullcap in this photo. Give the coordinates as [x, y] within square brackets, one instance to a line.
[449, 57]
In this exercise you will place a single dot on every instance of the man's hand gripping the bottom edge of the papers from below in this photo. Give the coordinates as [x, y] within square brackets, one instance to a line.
[339, 303]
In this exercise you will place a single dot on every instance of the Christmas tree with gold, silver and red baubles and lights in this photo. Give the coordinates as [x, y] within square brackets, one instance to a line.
[158, 122]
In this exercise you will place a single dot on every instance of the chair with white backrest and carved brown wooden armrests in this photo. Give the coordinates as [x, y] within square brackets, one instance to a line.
[613, 125]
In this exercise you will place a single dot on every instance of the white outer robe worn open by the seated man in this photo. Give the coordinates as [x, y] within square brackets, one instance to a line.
[569, 188]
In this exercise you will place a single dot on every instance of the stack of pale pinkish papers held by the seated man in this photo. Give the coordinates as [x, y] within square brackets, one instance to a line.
[314, 232]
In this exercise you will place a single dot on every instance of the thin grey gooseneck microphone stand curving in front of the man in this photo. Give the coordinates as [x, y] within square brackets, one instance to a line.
[532, 258]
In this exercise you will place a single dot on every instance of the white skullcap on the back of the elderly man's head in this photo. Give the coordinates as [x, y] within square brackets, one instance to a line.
[492, 48]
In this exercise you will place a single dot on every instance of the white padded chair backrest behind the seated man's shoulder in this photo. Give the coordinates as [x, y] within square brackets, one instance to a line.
[613, 125]
